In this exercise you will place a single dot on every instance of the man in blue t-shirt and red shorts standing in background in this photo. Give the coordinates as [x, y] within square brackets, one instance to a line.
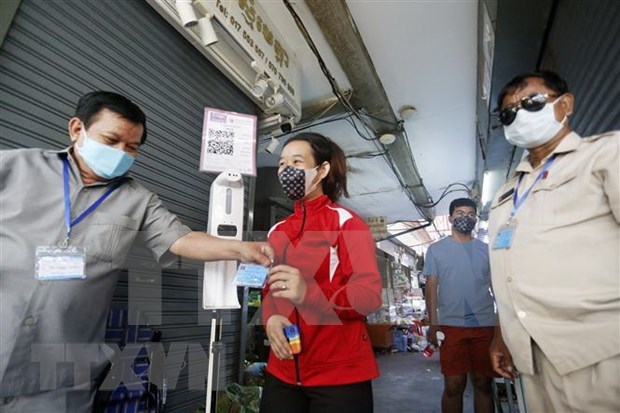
[460, 304]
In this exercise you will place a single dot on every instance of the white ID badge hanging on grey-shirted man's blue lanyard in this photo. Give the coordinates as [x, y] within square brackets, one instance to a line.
[53, 263]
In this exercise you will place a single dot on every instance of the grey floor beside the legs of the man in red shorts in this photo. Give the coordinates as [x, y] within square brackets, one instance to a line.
[411, 383]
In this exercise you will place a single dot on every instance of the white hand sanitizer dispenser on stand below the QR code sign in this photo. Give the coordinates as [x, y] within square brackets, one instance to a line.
[225, 221]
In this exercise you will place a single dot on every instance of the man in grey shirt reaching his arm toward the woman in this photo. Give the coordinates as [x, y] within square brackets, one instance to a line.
[67, 221]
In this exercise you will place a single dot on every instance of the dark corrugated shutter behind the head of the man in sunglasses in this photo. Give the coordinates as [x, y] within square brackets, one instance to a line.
[583, 48]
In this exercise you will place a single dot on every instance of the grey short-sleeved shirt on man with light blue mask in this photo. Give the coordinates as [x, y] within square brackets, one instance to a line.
[65, 312]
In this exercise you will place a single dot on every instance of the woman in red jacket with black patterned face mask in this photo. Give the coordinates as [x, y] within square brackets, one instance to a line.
[325, 281]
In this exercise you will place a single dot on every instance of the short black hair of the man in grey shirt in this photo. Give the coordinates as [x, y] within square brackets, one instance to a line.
[91, 104]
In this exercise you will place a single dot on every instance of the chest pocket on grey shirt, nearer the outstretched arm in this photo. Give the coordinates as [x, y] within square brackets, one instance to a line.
[111, 237]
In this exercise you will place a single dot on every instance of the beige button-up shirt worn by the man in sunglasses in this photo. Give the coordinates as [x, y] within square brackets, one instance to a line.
[559, 283]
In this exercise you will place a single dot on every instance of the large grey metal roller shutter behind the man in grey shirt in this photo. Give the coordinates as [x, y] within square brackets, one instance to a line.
[54, 52]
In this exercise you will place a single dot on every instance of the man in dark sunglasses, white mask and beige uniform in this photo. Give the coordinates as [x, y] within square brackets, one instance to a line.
[554, 233]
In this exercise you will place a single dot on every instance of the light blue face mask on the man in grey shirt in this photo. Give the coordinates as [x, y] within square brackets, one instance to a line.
[107, 162]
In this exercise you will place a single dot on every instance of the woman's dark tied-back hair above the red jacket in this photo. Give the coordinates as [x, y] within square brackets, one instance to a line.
[326, 150]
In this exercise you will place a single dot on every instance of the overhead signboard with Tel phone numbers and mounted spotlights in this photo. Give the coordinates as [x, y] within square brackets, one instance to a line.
[246, 47]
